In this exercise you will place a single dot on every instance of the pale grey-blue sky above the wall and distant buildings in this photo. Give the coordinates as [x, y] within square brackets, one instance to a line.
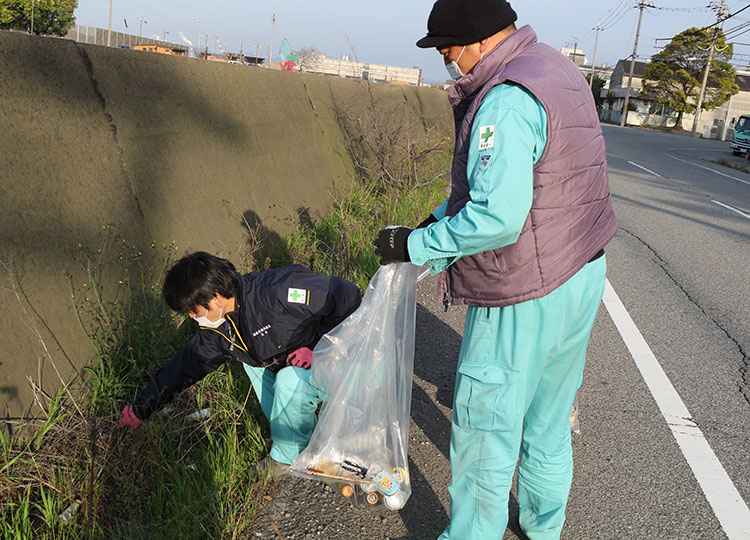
[384, 31]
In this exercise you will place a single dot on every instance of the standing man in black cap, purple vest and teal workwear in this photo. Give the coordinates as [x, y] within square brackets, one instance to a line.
[520, 240]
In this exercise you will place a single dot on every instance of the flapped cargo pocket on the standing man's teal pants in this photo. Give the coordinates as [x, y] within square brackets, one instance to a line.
[485, 397]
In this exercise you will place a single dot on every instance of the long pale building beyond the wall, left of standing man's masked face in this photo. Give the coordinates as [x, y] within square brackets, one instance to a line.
[346, 68]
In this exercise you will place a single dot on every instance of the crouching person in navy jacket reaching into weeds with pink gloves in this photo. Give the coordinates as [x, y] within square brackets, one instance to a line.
[270, 321]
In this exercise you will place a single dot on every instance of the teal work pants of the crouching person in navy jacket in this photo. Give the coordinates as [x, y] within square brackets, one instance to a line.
[289, 402]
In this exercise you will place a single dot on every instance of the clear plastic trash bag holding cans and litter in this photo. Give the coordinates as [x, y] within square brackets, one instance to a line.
[365, 366]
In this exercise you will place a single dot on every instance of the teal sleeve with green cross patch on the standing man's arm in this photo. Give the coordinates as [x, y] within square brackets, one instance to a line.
[508, 137]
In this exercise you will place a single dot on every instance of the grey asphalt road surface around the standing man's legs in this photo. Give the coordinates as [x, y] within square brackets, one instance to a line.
[664, 451]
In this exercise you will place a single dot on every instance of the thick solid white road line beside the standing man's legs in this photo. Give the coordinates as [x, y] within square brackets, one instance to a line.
[726, 502]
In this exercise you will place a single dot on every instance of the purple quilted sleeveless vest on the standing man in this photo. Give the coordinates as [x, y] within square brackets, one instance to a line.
[571, 216]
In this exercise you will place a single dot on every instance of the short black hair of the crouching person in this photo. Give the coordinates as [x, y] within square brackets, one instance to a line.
[196, 278]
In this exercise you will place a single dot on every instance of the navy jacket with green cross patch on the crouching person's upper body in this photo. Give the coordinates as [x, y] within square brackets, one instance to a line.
[278, 311]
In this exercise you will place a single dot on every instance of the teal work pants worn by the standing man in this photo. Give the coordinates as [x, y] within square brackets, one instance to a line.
[518, 373]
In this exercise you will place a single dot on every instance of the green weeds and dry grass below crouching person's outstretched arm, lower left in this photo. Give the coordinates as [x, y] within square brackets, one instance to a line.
[75, 475]
